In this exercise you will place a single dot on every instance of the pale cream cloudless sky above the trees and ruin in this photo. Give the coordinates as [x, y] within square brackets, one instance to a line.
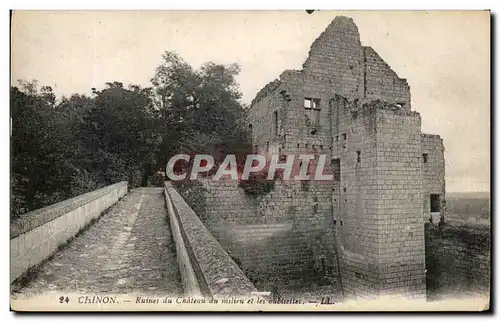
[445, 56]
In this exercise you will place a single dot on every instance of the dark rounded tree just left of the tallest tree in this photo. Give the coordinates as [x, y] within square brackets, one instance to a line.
[118, 134]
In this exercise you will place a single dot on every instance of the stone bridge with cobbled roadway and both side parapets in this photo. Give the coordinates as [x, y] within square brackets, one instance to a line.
[143, 241]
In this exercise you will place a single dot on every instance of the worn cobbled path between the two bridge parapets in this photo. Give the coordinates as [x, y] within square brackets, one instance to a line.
[129, 249]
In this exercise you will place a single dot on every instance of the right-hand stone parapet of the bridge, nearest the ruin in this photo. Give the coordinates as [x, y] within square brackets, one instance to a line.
[206, 268]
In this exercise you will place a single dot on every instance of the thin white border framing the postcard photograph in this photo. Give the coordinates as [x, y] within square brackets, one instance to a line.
[190, 4]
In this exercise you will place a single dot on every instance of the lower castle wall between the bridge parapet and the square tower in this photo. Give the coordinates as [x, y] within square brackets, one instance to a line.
[283, 235]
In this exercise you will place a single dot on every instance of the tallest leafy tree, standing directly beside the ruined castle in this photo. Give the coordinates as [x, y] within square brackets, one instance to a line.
[199, 110]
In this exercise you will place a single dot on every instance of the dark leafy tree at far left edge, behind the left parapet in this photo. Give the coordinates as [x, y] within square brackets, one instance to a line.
[39, 165]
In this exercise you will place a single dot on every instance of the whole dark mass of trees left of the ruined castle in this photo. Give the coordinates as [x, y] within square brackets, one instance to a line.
[65, 147]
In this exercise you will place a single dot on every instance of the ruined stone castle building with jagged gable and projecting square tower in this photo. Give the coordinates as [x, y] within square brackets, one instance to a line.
[348, 103]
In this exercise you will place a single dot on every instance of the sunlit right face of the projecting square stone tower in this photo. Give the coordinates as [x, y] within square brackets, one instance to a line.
[399, 207]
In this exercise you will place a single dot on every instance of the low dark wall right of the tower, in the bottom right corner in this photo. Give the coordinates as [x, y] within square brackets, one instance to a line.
[458, 261]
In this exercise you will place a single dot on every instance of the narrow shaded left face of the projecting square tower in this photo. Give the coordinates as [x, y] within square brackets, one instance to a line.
[355, 197]
